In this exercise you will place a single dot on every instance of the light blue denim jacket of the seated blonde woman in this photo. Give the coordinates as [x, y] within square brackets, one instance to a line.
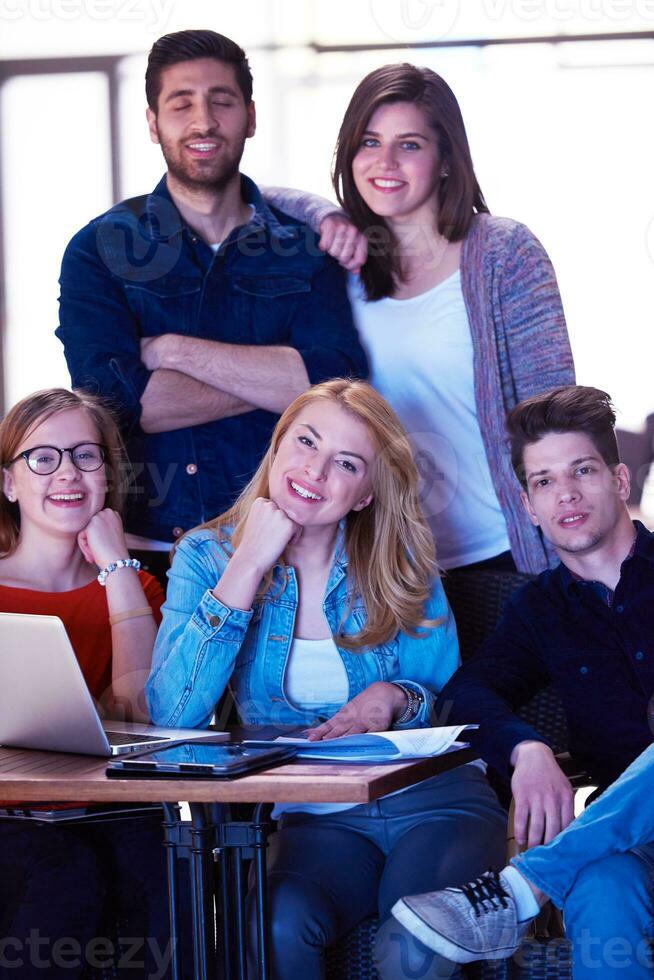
[203, 645]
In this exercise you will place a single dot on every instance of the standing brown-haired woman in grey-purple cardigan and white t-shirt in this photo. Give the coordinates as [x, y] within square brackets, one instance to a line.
[459, 311]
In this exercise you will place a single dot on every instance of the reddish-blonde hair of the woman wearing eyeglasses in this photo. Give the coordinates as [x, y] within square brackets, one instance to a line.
[26, 415]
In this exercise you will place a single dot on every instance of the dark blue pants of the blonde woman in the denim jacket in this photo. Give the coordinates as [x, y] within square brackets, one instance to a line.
[328, 872]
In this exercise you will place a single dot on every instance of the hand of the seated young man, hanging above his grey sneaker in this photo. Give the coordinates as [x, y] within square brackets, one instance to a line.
[544, 798]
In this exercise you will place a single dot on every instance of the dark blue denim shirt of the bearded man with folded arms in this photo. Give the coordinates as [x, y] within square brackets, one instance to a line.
[140, 271]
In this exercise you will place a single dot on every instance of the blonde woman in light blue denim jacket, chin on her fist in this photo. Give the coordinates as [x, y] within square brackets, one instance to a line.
[314, 597]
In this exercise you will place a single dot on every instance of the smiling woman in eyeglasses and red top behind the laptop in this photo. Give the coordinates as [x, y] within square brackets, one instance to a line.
[63, 553]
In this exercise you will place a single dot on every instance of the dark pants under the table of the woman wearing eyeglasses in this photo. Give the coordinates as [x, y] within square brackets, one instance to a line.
[64, 886]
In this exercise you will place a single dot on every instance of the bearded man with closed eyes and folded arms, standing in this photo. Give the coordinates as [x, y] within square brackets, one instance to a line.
[197, 310]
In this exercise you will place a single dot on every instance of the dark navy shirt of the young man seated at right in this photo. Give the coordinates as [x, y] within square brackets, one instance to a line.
[596, 649]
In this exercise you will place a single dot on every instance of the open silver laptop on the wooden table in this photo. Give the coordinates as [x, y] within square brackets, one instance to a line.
[45, 703]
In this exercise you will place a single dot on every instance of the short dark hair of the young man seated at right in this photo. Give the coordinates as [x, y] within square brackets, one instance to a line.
[572, 408]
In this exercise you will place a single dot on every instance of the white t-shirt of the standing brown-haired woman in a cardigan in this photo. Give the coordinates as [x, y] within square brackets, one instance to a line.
[421, 360]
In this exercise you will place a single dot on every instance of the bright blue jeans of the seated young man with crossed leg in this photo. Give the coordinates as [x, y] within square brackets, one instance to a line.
[600, 871]
